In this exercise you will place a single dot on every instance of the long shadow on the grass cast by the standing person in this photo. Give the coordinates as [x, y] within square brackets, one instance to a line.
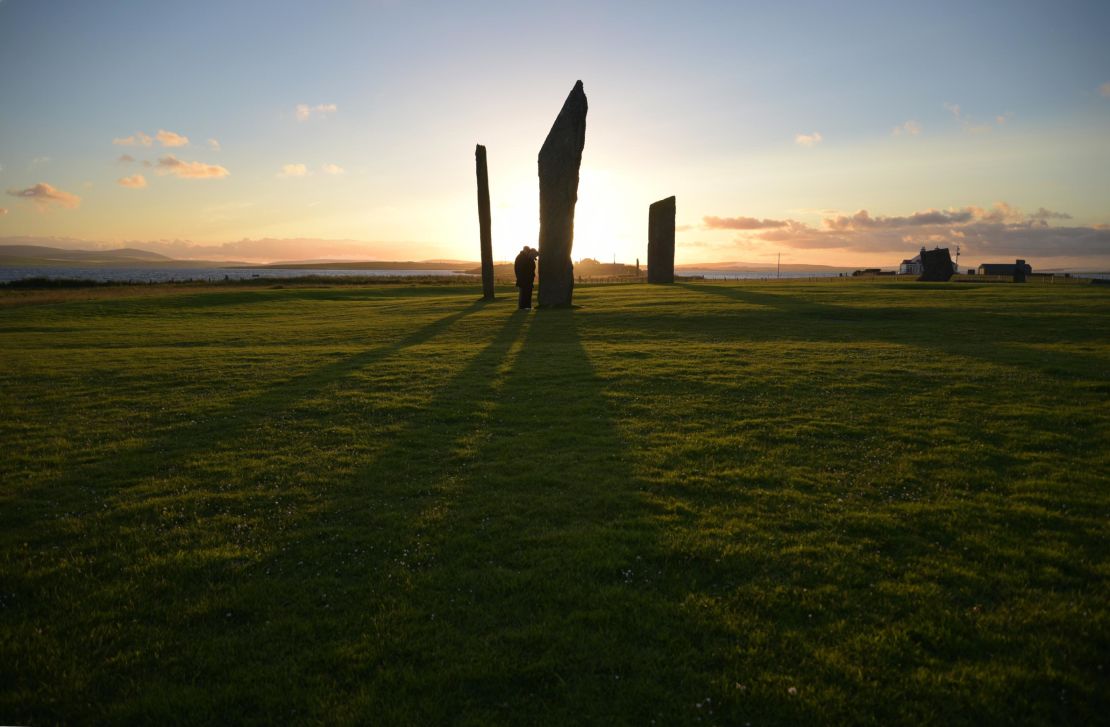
[278, 635]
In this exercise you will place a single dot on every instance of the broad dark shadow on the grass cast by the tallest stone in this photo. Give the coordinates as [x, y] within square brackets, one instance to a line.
[543, 589]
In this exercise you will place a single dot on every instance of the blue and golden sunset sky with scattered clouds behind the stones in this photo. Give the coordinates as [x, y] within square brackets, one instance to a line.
[828, 134]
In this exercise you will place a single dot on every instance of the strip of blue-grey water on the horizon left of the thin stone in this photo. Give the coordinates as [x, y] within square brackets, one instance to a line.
[184, 275]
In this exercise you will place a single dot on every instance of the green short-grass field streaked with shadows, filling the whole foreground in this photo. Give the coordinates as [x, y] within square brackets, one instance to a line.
[768, 503]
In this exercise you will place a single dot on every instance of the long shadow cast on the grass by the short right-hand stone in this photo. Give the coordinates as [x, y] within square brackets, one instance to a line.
[972, 334]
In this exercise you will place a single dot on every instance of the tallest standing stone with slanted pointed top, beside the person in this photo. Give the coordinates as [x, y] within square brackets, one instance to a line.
[560, 159]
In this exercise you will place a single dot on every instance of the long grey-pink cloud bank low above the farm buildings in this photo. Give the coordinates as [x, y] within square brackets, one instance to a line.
[1001, 230]
